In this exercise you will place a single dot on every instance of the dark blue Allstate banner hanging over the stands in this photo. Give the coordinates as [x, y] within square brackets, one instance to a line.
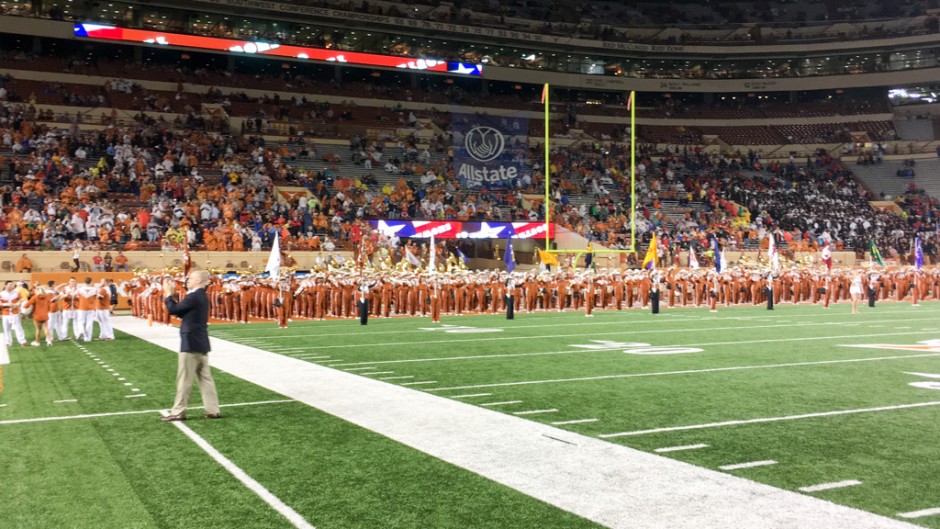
[489, 151]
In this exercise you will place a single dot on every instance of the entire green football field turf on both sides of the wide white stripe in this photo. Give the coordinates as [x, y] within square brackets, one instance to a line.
[822, 403]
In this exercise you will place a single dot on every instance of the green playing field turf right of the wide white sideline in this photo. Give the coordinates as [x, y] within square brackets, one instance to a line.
[754, 364]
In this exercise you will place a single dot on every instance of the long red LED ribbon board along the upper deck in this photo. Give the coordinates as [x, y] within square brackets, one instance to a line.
[250, 47]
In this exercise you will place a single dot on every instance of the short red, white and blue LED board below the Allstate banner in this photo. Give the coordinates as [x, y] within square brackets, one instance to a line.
[449, 229]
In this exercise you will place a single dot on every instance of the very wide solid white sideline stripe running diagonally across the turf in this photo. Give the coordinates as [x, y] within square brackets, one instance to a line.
[609, 484]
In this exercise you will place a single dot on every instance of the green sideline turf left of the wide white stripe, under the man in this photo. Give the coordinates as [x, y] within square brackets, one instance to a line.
[132, 471]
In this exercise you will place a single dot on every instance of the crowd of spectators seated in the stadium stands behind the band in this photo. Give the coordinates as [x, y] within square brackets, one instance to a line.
[153, 183]
